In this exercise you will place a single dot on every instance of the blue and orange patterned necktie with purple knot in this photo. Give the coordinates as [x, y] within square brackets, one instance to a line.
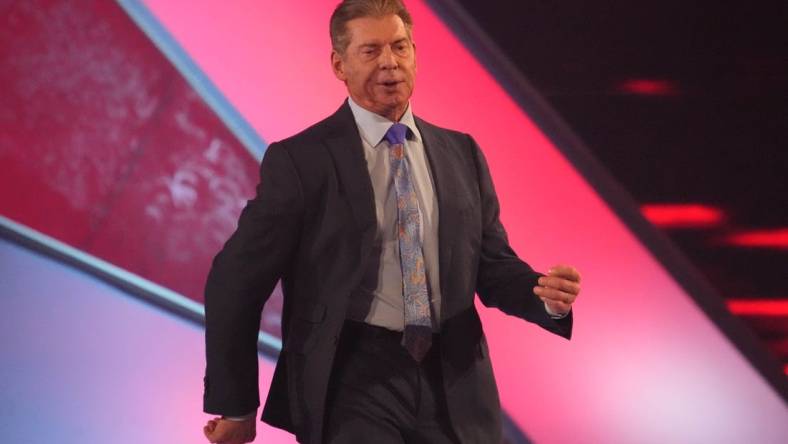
[417, 337]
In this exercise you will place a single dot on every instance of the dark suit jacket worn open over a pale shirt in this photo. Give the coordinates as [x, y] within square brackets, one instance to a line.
[312, 224]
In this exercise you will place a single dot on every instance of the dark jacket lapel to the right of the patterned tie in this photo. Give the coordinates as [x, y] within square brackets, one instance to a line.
[445, 176]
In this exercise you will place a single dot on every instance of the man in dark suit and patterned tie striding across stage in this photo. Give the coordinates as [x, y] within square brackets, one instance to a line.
[382, 227]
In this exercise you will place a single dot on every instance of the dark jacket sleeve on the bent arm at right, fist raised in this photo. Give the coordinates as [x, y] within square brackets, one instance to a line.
[503, 280]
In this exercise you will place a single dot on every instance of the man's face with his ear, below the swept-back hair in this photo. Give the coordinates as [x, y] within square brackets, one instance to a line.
[379, 65]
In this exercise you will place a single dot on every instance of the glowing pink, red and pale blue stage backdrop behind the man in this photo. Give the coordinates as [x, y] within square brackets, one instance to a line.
[130, 135]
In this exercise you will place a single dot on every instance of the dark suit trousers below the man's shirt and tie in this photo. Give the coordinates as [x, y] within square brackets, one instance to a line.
[379, 393]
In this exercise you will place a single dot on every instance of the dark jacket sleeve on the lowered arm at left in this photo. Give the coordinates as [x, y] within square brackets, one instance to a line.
[241, 279]
